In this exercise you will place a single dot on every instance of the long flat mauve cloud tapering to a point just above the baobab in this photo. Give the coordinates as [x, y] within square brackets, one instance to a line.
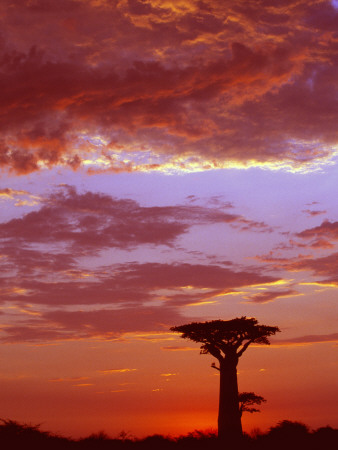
[133, 284]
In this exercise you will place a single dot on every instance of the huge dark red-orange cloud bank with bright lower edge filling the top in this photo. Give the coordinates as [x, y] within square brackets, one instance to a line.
[200, 85]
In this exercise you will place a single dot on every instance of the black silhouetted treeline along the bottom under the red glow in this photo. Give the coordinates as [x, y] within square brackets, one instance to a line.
[285, 435]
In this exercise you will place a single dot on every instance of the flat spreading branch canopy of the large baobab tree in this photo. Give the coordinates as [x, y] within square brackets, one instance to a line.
[221, 337]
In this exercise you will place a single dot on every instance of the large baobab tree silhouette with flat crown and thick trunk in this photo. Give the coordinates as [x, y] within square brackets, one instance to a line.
[227, 340]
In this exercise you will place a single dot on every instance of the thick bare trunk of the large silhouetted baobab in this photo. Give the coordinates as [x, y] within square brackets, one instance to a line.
[229, 417]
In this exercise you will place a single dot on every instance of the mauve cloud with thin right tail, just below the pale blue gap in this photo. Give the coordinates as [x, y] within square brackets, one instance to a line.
[93, 221]
